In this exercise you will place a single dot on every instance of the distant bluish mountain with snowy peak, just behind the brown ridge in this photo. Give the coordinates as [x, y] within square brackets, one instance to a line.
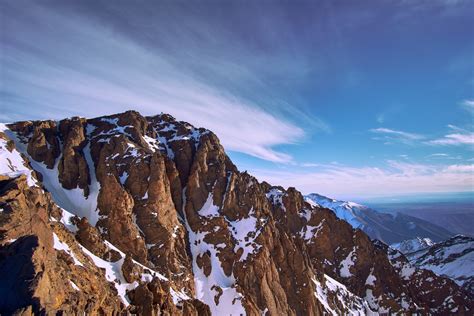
[386, 227]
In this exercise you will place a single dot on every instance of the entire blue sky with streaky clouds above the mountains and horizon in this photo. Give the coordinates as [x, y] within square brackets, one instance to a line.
[351, 99]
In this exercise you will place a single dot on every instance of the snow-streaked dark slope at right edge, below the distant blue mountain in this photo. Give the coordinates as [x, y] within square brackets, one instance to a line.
[453, 258]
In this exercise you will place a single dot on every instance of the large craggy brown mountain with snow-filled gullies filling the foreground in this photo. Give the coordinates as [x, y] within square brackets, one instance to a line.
[148, 215]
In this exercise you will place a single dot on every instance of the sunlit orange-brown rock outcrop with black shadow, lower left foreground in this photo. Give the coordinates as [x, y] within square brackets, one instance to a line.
[35, 276]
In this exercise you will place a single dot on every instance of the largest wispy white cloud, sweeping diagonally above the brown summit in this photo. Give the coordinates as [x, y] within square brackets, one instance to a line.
[93, 70]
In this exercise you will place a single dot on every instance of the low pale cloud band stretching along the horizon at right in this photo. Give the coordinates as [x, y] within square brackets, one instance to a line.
[395, 178]
